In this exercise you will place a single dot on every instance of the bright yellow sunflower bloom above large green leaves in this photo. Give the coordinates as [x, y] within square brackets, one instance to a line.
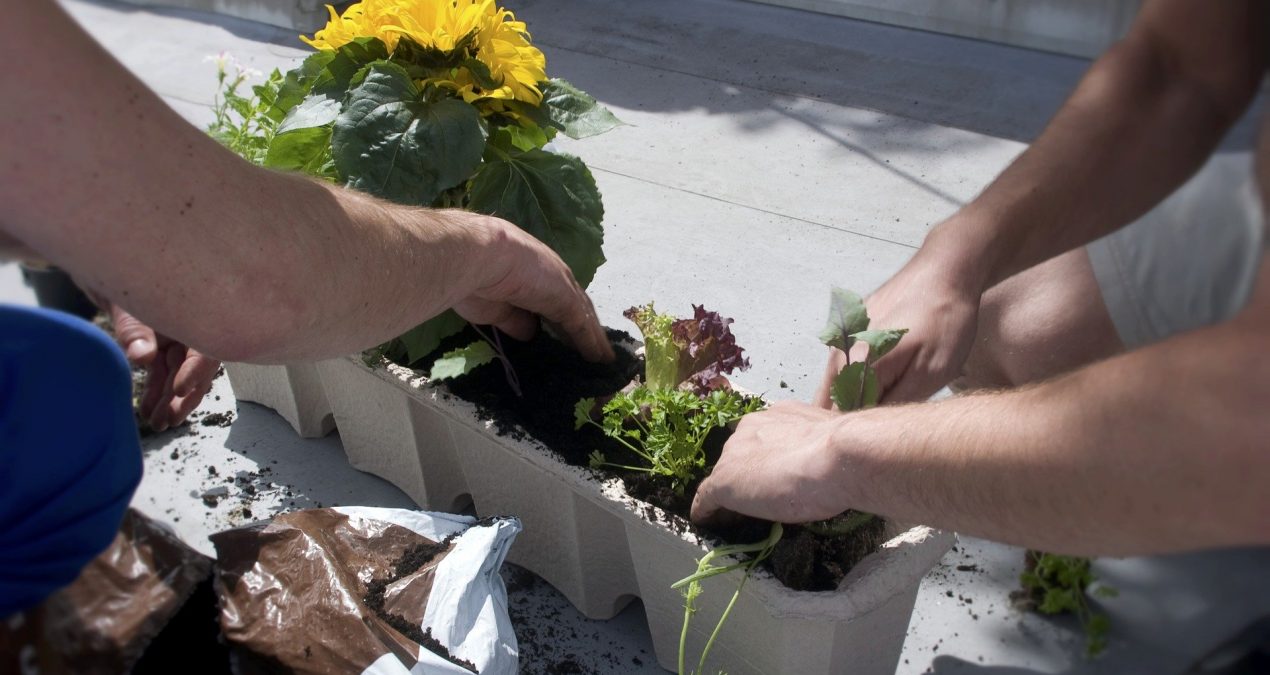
[501, 43]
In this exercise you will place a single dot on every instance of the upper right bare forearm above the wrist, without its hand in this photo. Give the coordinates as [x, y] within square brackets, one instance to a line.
[1140, 123]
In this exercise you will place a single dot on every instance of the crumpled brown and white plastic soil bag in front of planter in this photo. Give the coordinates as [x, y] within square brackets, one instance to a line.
[365, 590]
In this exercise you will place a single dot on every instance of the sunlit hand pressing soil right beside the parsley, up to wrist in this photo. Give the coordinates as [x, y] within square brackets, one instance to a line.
[780, 465]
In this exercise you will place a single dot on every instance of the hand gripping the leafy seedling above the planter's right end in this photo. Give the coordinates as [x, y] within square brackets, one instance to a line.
[940, 313]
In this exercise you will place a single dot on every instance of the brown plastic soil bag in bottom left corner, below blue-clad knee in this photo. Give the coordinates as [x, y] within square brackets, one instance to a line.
[105, 621]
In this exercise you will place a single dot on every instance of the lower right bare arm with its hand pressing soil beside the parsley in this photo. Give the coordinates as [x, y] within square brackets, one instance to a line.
[1158, 451]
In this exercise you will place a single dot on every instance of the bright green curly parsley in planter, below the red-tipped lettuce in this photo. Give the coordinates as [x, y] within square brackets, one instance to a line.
[665, 428]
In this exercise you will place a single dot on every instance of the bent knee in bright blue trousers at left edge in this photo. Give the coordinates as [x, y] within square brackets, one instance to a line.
[70, 458]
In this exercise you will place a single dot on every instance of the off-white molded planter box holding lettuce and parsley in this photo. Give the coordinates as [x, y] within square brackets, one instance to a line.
[601, 549]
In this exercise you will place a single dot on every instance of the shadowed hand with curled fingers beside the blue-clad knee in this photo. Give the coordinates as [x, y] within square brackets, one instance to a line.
[177, 377]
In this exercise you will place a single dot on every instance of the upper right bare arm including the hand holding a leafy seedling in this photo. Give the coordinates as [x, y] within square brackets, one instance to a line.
[1142, 120]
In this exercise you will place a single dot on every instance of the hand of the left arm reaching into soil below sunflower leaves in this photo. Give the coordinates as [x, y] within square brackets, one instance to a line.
[528, 279]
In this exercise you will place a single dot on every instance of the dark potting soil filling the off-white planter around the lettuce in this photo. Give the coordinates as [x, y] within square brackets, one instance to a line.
[553, 379]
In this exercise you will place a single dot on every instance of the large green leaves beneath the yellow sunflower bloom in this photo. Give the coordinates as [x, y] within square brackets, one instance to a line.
[378, 123]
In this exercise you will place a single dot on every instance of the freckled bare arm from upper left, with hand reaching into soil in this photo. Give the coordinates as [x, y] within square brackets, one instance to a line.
[98, 176]
